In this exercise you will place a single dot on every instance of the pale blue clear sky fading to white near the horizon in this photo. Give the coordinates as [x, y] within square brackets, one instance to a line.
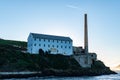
[66, 18]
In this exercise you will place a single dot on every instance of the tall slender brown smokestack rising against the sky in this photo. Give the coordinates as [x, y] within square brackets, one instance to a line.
[85, 34]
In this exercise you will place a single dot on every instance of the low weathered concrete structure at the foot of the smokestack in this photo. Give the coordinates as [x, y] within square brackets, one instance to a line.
[85, 60]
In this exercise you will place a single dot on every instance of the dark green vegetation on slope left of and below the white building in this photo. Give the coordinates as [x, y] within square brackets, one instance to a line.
[13, 58]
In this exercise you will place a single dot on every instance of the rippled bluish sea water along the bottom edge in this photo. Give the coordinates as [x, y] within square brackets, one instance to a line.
[103, 77]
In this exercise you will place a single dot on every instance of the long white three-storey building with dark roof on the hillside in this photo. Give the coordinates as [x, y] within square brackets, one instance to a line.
[54, 44]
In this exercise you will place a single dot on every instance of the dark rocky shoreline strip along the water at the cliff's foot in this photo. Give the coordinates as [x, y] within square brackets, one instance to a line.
[58, 73]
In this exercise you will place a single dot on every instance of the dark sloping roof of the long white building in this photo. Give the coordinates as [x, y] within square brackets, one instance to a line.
[53, 37]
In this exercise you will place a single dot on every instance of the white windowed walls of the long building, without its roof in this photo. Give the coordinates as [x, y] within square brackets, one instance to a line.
[56, 46]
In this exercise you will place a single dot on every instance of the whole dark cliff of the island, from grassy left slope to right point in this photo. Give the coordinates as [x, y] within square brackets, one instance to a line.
[12, 58]
